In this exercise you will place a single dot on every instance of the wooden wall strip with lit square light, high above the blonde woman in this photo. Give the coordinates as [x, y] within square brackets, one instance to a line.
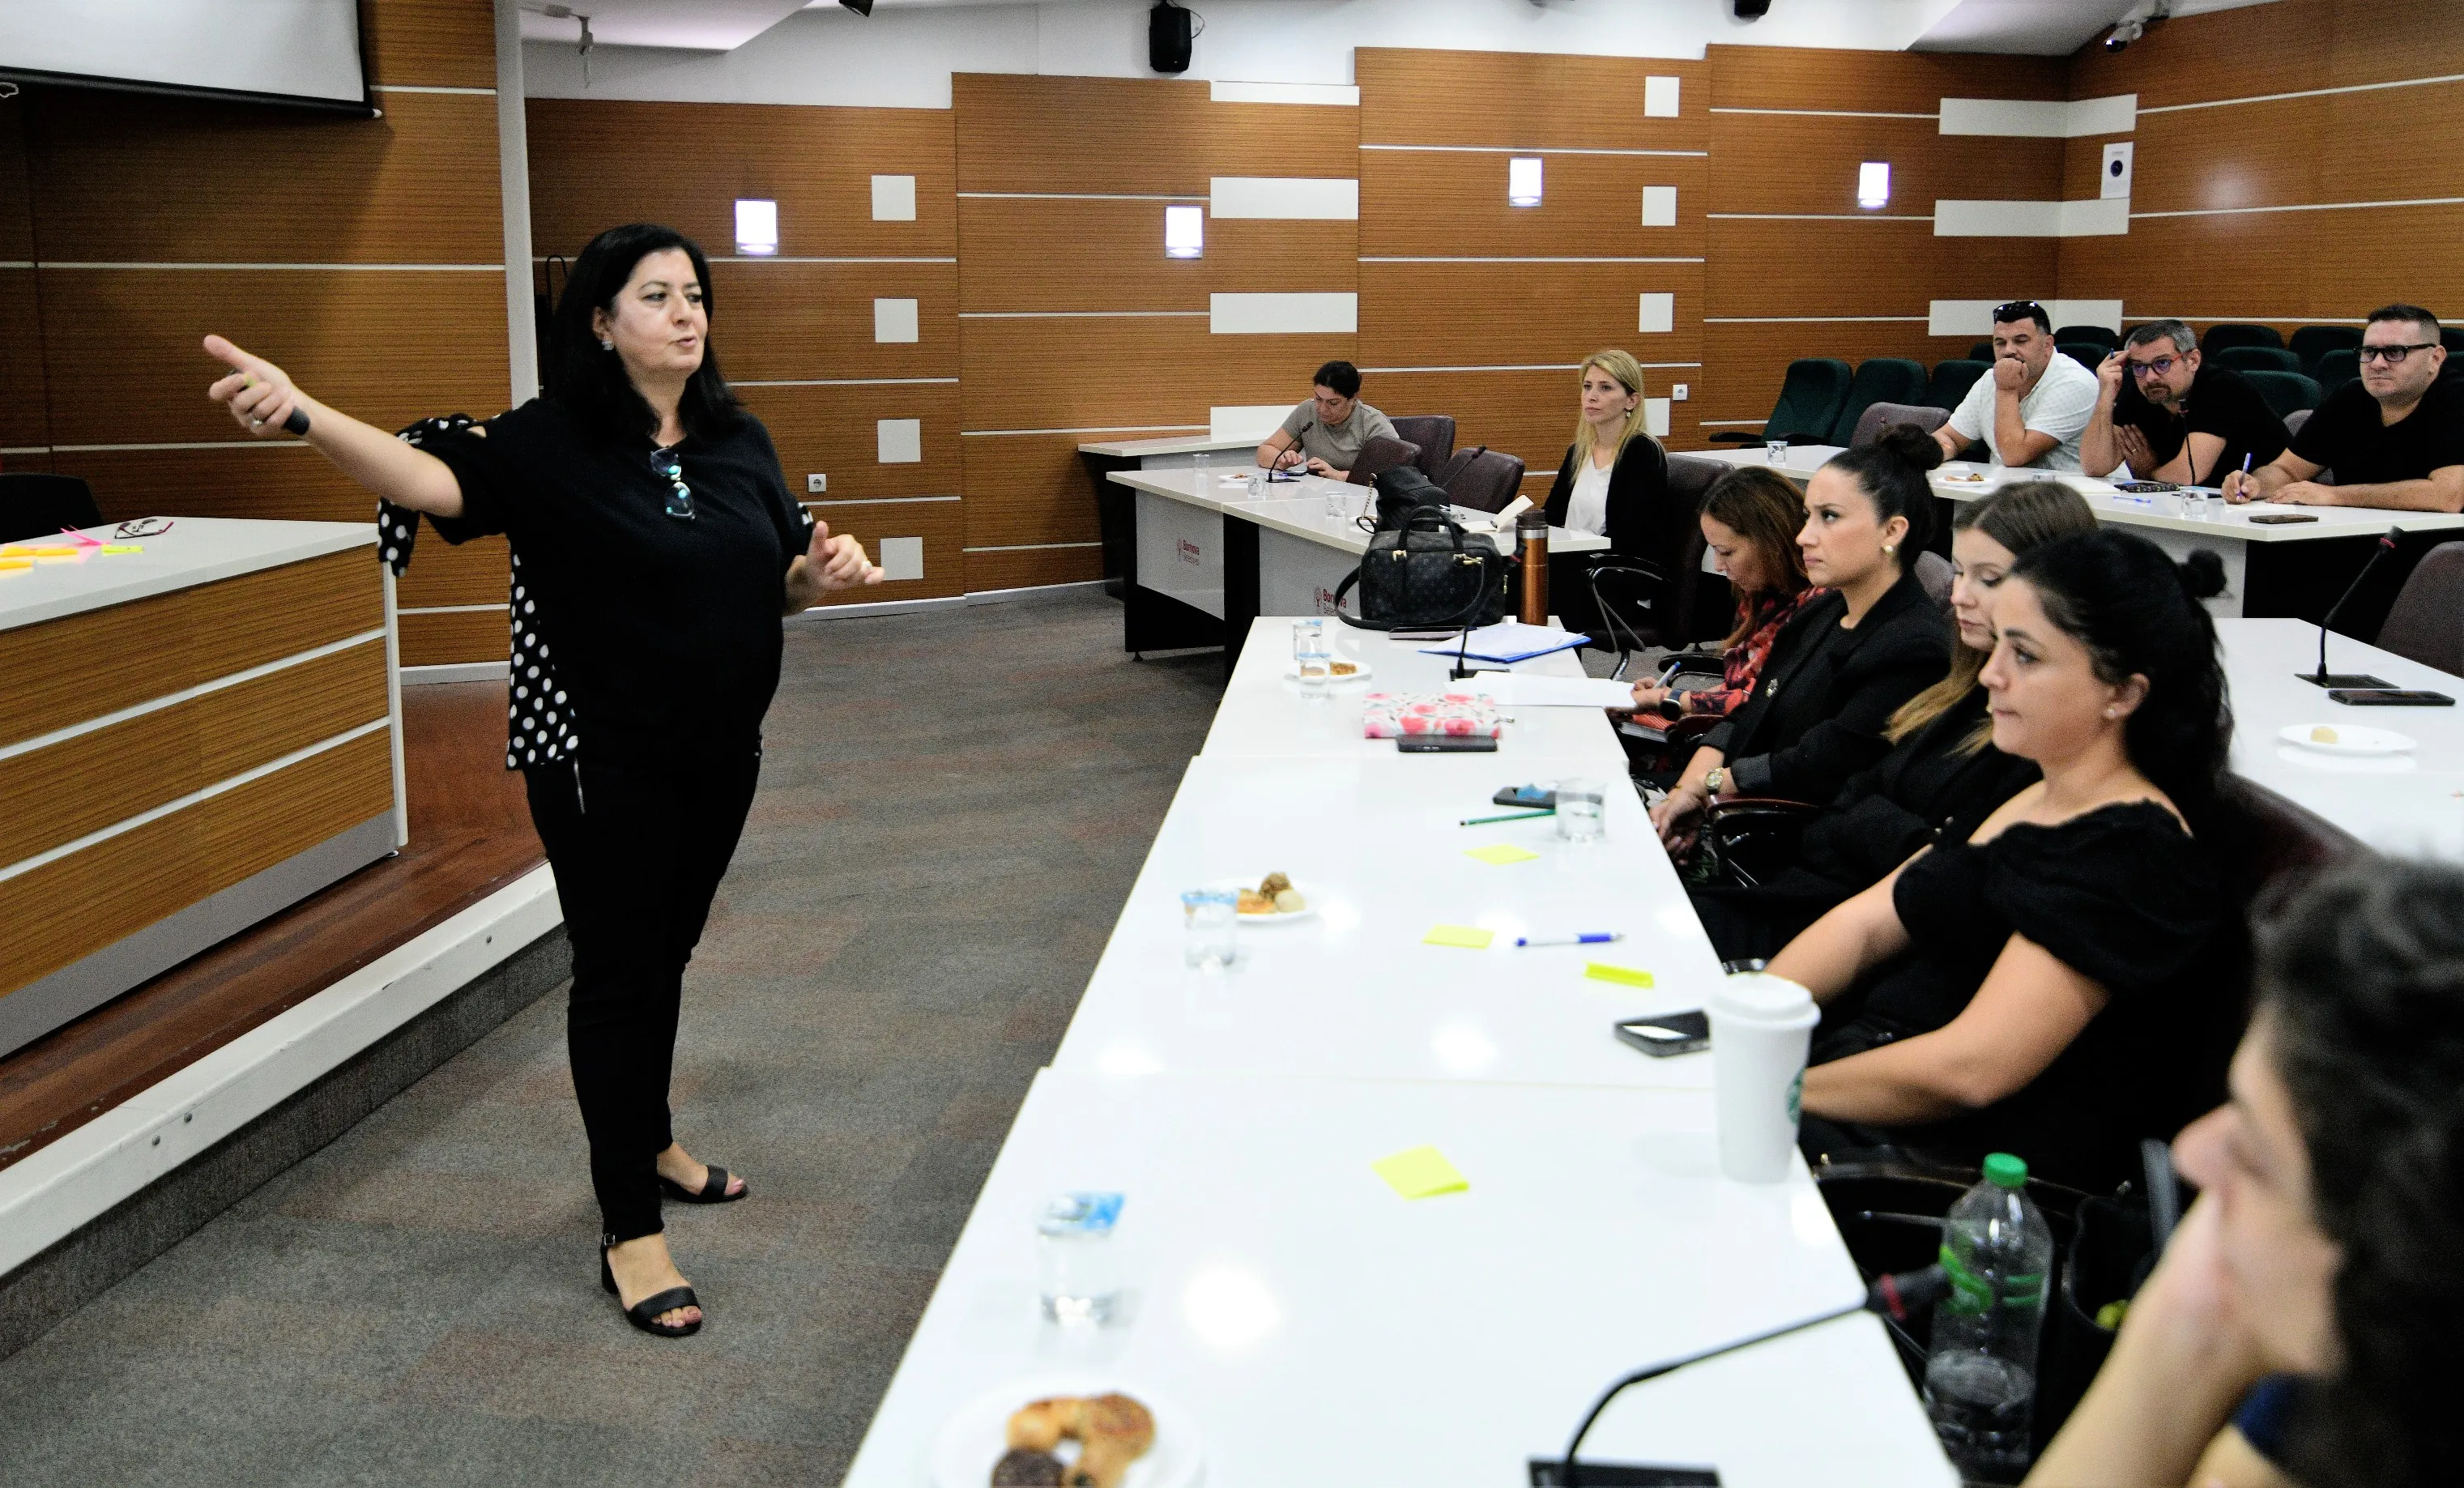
[1425, 203]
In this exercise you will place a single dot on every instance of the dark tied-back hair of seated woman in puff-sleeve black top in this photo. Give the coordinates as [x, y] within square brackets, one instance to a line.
[2138, 615]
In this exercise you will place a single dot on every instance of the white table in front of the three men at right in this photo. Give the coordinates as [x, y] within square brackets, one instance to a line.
[2263, 560]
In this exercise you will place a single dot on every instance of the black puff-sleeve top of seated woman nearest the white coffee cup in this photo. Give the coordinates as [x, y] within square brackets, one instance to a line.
[2120, 896]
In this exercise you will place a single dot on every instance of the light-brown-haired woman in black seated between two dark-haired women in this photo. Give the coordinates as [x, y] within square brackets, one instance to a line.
[1943, 775]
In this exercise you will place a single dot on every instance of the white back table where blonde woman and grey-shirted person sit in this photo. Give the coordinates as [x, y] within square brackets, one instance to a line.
[1206, 556]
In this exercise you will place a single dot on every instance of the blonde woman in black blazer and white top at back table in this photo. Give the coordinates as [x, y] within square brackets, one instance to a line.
[1613, 484]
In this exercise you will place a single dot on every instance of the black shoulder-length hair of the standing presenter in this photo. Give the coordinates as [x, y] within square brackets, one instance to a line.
[590, 381]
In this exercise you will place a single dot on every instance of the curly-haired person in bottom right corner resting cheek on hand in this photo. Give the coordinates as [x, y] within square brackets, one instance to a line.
[2305, 1319]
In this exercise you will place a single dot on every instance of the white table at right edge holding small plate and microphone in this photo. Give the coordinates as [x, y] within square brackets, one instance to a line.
[2406, 804]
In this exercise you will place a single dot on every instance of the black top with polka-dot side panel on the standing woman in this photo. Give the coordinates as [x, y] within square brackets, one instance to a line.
[649, 637]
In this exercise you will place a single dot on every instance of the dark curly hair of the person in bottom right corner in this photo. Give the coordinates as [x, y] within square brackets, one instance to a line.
[2364, 974]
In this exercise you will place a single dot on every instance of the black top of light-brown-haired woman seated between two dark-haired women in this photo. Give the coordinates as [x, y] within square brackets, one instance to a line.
[1928, 790]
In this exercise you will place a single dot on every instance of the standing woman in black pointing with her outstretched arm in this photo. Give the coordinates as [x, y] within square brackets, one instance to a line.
[654, 551]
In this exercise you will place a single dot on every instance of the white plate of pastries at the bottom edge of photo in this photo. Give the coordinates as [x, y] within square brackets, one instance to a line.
[1068, 1433]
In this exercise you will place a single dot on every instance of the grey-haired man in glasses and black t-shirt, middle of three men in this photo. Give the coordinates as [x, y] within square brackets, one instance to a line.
[2174, 420]
